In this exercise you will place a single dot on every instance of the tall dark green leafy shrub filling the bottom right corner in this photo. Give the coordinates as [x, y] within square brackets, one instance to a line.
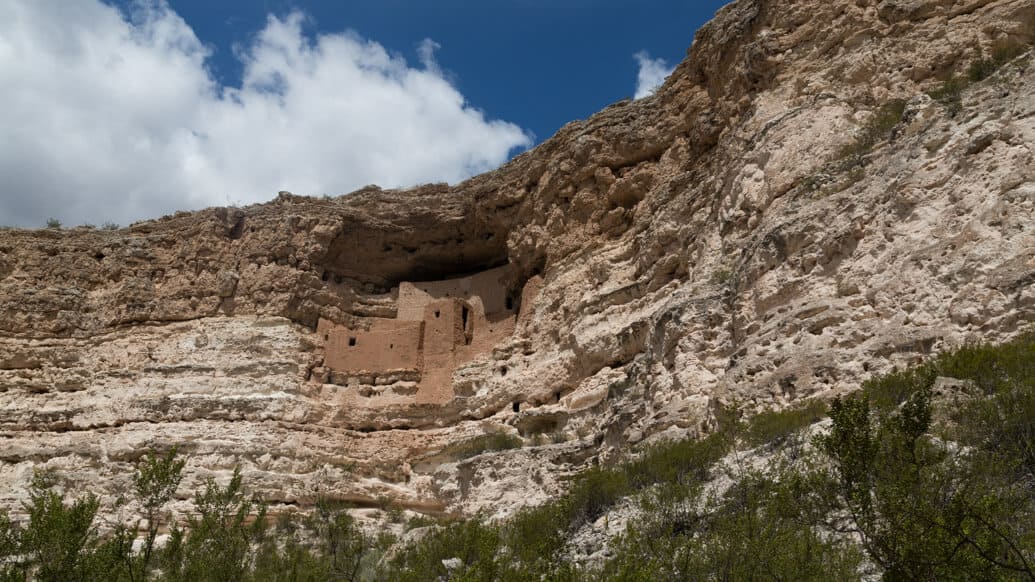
[922, 512]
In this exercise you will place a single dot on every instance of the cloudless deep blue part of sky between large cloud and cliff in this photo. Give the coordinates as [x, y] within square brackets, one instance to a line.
[538, 64]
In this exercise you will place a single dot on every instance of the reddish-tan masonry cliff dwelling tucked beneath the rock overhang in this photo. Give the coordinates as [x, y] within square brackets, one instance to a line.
[439, 327]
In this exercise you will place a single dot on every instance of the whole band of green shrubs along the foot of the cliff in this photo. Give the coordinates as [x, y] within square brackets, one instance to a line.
[897, 488]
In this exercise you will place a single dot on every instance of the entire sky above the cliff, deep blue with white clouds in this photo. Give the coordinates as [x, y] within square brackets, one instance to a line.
[122, 110]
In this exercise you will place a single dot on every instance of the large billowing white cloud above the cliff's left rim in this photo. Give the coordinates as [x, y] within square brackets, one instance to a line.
[113, 118]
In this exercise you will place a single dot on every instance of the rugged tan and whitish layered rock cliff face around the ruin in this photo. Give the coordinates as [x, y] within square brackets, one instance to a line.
[725, 242]
